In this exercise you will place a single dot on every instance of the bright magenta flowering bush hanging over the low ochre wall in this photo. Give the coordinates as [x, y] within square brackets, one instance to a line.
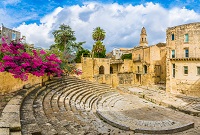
[18, 62]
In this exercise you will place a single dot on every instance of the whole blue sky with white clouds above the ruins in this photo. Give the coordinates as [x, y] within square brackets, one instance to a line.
[122, 20]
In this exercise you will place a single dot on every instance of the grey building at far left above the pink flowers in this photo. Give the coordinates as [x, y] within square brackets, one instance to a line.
[12, 35]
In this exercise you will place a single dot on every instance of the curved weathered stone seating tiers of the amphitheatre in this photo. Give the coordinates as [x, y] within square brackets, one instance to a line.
[70, 106]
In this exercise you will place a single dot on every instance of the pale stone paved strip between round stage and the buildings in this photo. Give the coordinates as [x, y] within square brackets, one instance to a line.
[186, 104]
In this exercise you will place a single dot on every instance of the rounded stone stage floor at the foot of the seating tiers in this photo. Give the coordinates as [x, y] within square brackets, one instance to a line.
[111, 109]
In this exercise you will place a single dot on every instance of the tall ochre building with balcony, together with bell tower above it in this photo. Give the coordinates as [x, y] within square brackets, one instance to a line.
[148, 62]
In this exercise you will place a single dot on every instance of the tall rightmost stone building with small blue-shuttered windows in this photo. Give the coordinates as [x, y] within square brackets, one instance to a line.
[183, 59]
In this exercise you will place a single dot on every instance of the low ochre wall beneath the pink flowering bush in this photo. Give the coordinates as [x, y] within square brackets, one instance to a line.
[10, 84]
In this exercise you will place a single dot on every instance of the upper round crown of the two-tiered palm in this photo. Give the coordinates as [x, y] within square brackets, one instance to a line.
[98, 34]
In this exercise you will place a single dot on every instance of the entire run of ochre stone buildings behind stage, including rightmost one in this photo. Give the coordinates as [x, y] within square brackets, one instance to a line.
[175, 64]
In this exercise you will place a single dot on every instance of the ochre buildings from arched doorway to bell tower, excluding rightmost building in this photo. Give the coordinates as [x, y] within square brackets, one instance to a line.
[147, 66]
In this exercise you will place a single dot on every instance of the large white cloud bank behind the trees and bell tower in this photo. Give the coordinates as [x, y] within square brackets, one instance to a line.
[122, 23]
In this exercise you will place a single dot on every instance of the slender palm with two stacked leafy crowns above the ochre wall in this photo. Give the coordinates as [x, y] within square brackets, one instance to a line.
[99, 49]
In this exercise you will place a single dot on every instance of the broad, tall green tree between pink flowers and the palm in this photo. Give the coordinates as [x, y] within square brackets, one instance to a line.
[65, 46]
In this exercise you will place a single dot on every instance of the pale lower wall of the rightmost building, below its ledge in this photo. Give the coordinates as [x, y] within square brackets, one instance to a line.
[186, 84]
